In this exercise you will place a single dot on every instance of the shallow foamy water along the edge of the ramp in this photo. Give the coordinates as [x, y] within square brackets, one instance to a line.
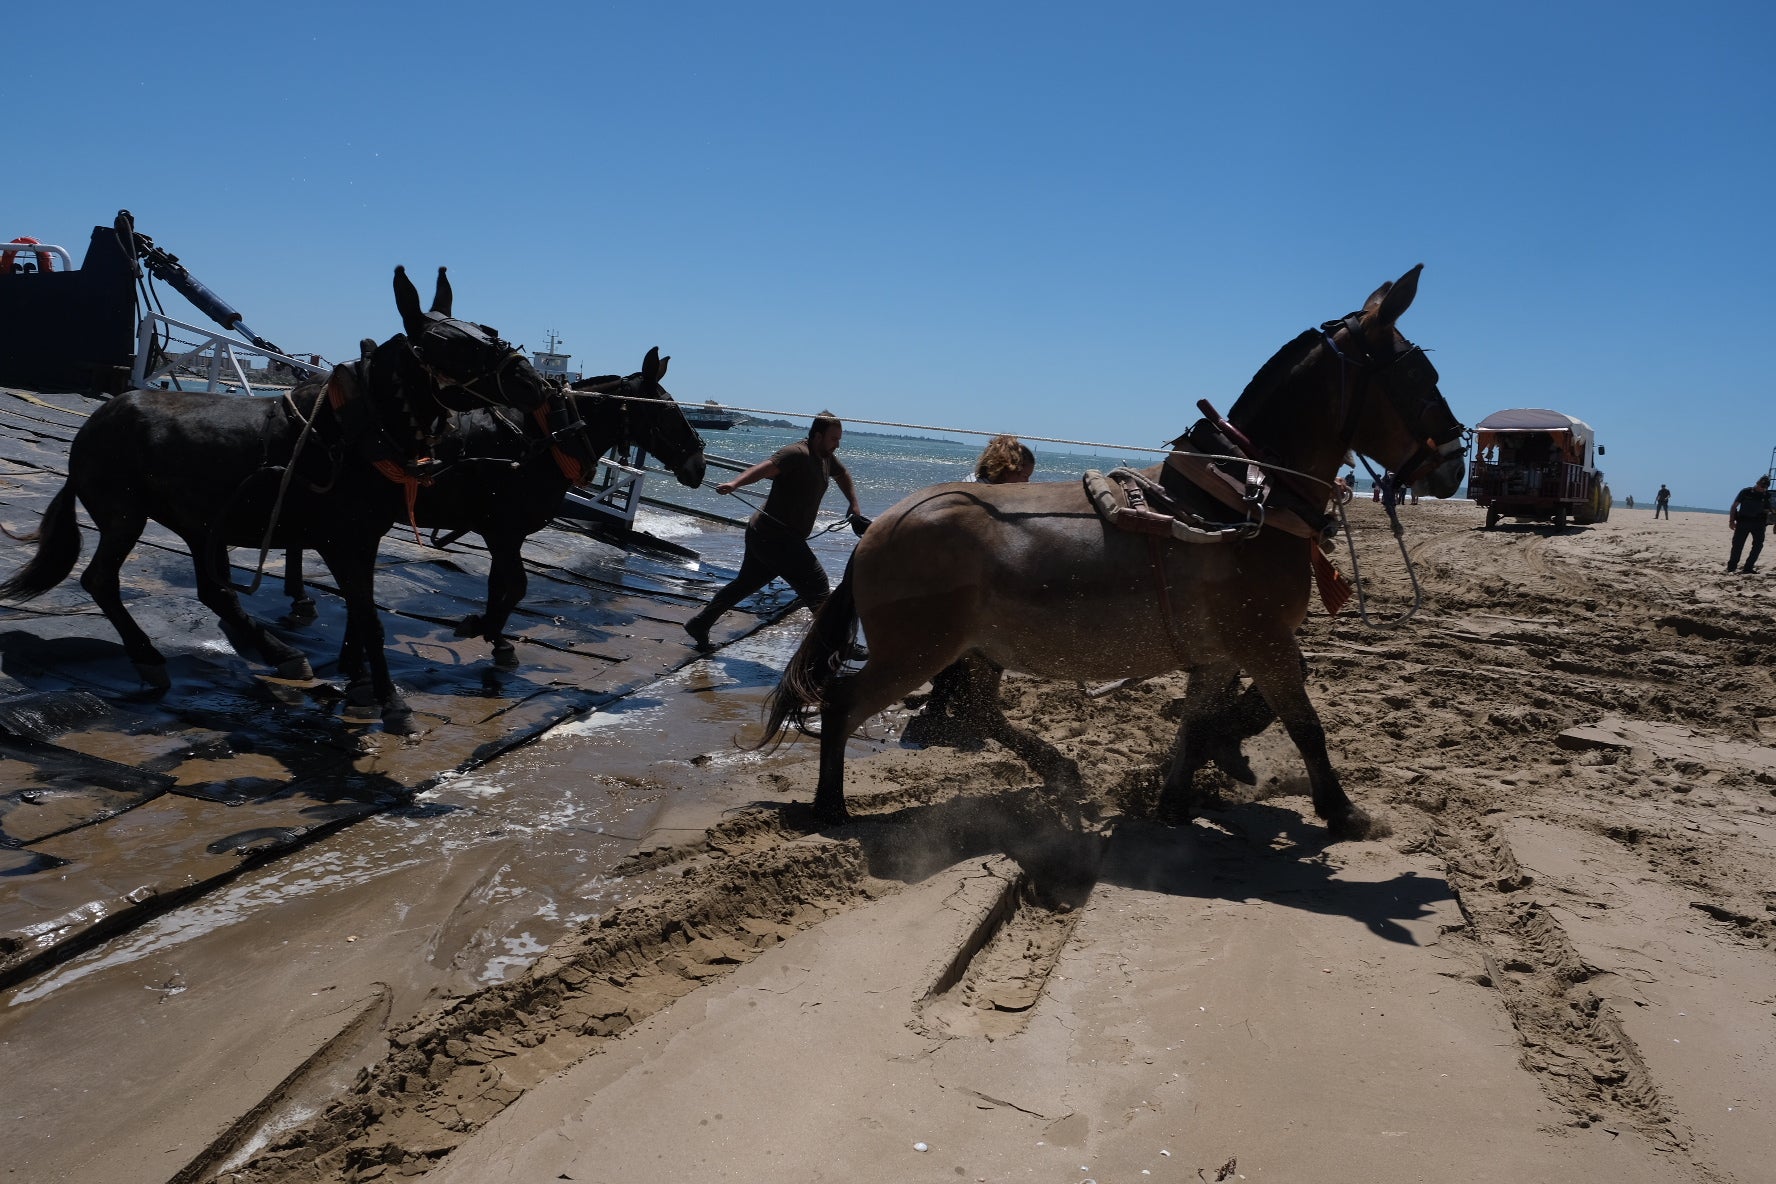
[551, 819]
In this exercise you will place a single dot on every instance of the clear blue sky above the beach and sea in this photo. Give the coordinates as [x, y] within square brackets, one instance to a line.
[1065, 221]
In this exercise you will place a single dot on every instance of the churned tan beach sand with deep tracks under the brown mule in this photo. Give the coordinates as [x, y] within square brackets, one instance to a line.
[1558, 965]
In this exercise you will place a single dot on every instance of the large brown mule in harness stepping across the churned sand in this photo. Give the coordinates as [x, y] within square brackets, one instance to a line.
[1033, 580]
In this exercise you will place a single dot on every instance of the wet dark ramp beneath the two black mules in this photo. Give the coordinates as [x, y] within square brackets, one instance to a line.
[120, 803]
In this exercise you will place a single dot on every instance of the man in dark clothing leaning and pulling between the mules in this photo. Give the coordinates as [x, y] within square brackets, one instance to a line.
[777, 535]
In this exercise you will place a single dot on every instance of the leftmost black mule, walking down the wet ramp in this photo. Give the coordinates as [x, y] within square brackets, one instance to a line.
[312, 470]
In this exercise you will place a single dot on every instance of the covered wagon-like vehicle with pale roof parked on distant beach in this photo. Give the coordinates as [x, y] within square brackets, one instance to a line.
[1537, 466]
